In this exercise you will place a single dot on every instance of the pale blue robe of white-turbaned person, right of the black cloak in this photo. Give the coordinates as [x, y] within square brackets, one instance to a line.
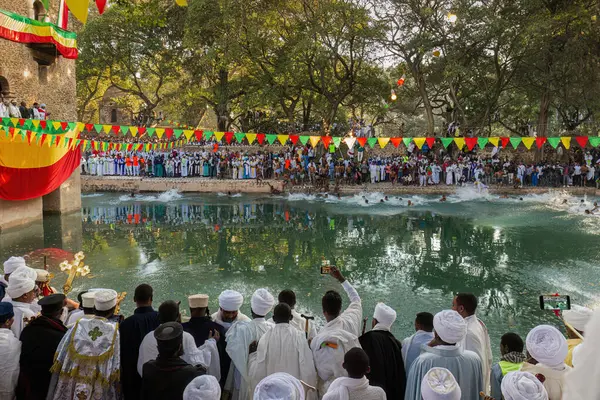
[465, 366]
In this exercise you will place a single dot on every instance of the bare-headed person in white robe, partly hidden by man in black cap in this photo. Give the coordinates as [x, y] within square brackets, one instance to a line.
[206, 355]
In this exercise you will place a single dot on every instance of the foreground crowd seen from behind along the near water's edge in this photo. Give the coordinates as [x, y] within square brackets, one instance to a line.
[55, 348]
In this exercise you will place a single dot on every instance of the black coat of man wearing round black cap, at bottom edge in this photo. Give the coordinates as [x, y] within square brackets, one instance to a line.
[167, 379]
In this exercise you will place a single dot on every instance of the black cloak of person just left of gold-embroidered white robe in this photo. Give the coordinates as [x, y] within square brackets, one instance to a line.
[39, 341]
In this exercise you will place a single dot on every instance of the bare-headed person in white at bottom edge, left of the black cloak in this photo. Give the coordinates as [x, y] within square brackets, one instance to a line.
[354, 386]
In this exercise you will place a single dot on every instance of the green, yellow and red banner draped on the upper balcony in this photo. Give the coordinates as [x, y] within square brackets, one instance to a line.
[25, 30]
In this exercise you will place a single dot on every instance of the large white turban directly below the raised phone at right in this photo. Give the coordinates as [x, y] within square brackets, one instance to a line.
[547, 345]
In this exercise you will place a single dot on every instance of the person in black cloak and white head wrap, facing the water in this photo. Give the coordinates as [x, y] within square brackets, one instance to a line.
[385, 354]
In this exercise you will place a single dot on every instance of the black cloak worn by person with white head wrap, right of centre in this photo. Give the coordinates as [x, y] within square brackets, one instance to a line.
[385, 359]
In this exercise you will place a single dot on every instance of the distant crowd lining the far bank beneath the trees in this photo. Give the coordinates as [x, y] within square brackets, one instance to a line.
[303, 165]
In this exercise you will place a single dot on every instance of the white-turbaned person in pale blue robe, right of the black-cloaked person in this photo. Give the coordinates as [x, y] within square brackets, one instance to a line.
[445, 352]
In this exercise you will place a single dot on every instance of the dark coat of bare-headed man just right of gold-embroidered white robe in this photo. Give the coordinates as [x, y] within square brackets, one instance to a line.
[132, 331]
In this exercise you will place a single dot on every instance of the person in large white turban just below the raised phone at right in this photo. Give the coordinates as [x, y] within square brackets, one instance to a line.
[549, 348]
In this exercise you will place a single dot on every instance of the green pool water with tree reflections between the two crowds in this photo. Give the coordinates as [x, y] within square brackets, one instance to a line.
[414, 259]
